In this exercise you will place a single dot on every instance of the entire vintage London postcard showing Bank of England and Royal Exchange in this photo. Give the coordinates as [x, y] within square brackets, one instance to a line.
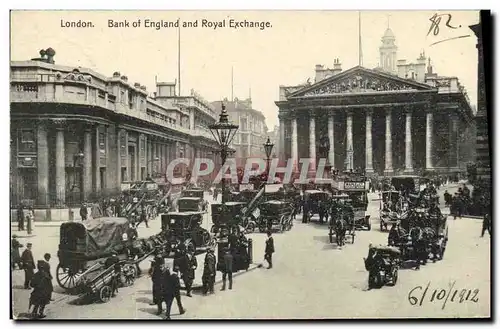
[249, 165]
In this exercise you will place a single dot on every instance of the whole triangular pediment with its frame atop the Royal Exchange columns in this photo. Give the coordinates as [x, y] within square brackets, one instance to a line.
[360, 80]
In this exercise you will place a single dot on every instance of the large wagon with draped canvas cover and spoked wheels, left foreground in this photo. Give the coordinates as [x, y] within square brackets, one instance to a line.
[83, 245]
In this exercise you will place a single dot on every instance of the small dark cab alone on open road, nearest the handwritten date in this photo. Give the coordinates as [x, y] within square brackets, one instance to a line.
[382, 264]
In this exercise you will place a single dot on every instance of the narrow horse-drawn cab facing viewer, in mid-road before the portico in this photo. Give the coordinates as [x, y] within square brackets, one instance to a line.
[341, 223]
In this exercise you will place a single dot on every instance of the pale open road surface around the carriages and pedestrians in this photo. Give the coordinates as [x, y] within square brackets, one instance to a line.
[311, 279]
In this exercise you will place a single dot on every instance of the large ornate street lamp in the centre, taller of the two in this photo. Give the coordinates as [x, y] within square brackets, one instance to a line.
[223, 132]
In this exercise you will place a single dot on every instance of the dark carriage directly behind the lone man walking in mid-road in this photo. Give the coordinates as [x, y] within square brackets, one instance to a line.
[275, 214]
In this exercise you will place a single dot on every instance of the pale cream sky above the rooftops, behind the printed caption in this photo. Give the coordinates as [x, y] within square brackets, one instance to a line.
[283, 54]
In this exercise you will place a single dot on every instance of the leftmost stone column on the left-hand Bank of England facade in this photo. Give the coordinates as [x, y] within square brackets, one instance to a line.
[42, 165]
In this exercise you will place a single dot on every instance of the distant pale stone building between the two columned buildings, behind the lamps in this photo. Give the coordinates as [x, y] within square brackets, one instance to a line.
[252, 133]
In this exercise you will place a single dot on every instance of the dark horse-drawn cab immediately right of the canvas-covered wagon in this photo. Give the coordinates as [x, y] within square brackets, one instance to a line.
[184, 228]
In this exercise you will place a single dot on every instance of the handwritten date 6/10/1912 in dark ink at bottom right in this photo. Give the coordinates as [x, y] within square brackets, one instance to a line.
[417, 296]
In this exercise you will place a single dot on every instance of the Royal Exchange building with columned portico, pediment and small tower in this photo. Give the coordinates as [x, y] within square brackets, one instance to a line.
[397, 118]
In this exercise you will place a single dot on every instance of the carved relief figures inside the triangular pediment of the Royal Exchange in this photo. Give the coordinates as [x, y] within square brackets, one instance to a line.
[359, 83]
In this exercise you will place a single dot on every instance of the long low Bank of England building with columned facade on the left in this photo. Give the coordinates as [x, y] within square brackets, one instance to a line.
[77, 134]
